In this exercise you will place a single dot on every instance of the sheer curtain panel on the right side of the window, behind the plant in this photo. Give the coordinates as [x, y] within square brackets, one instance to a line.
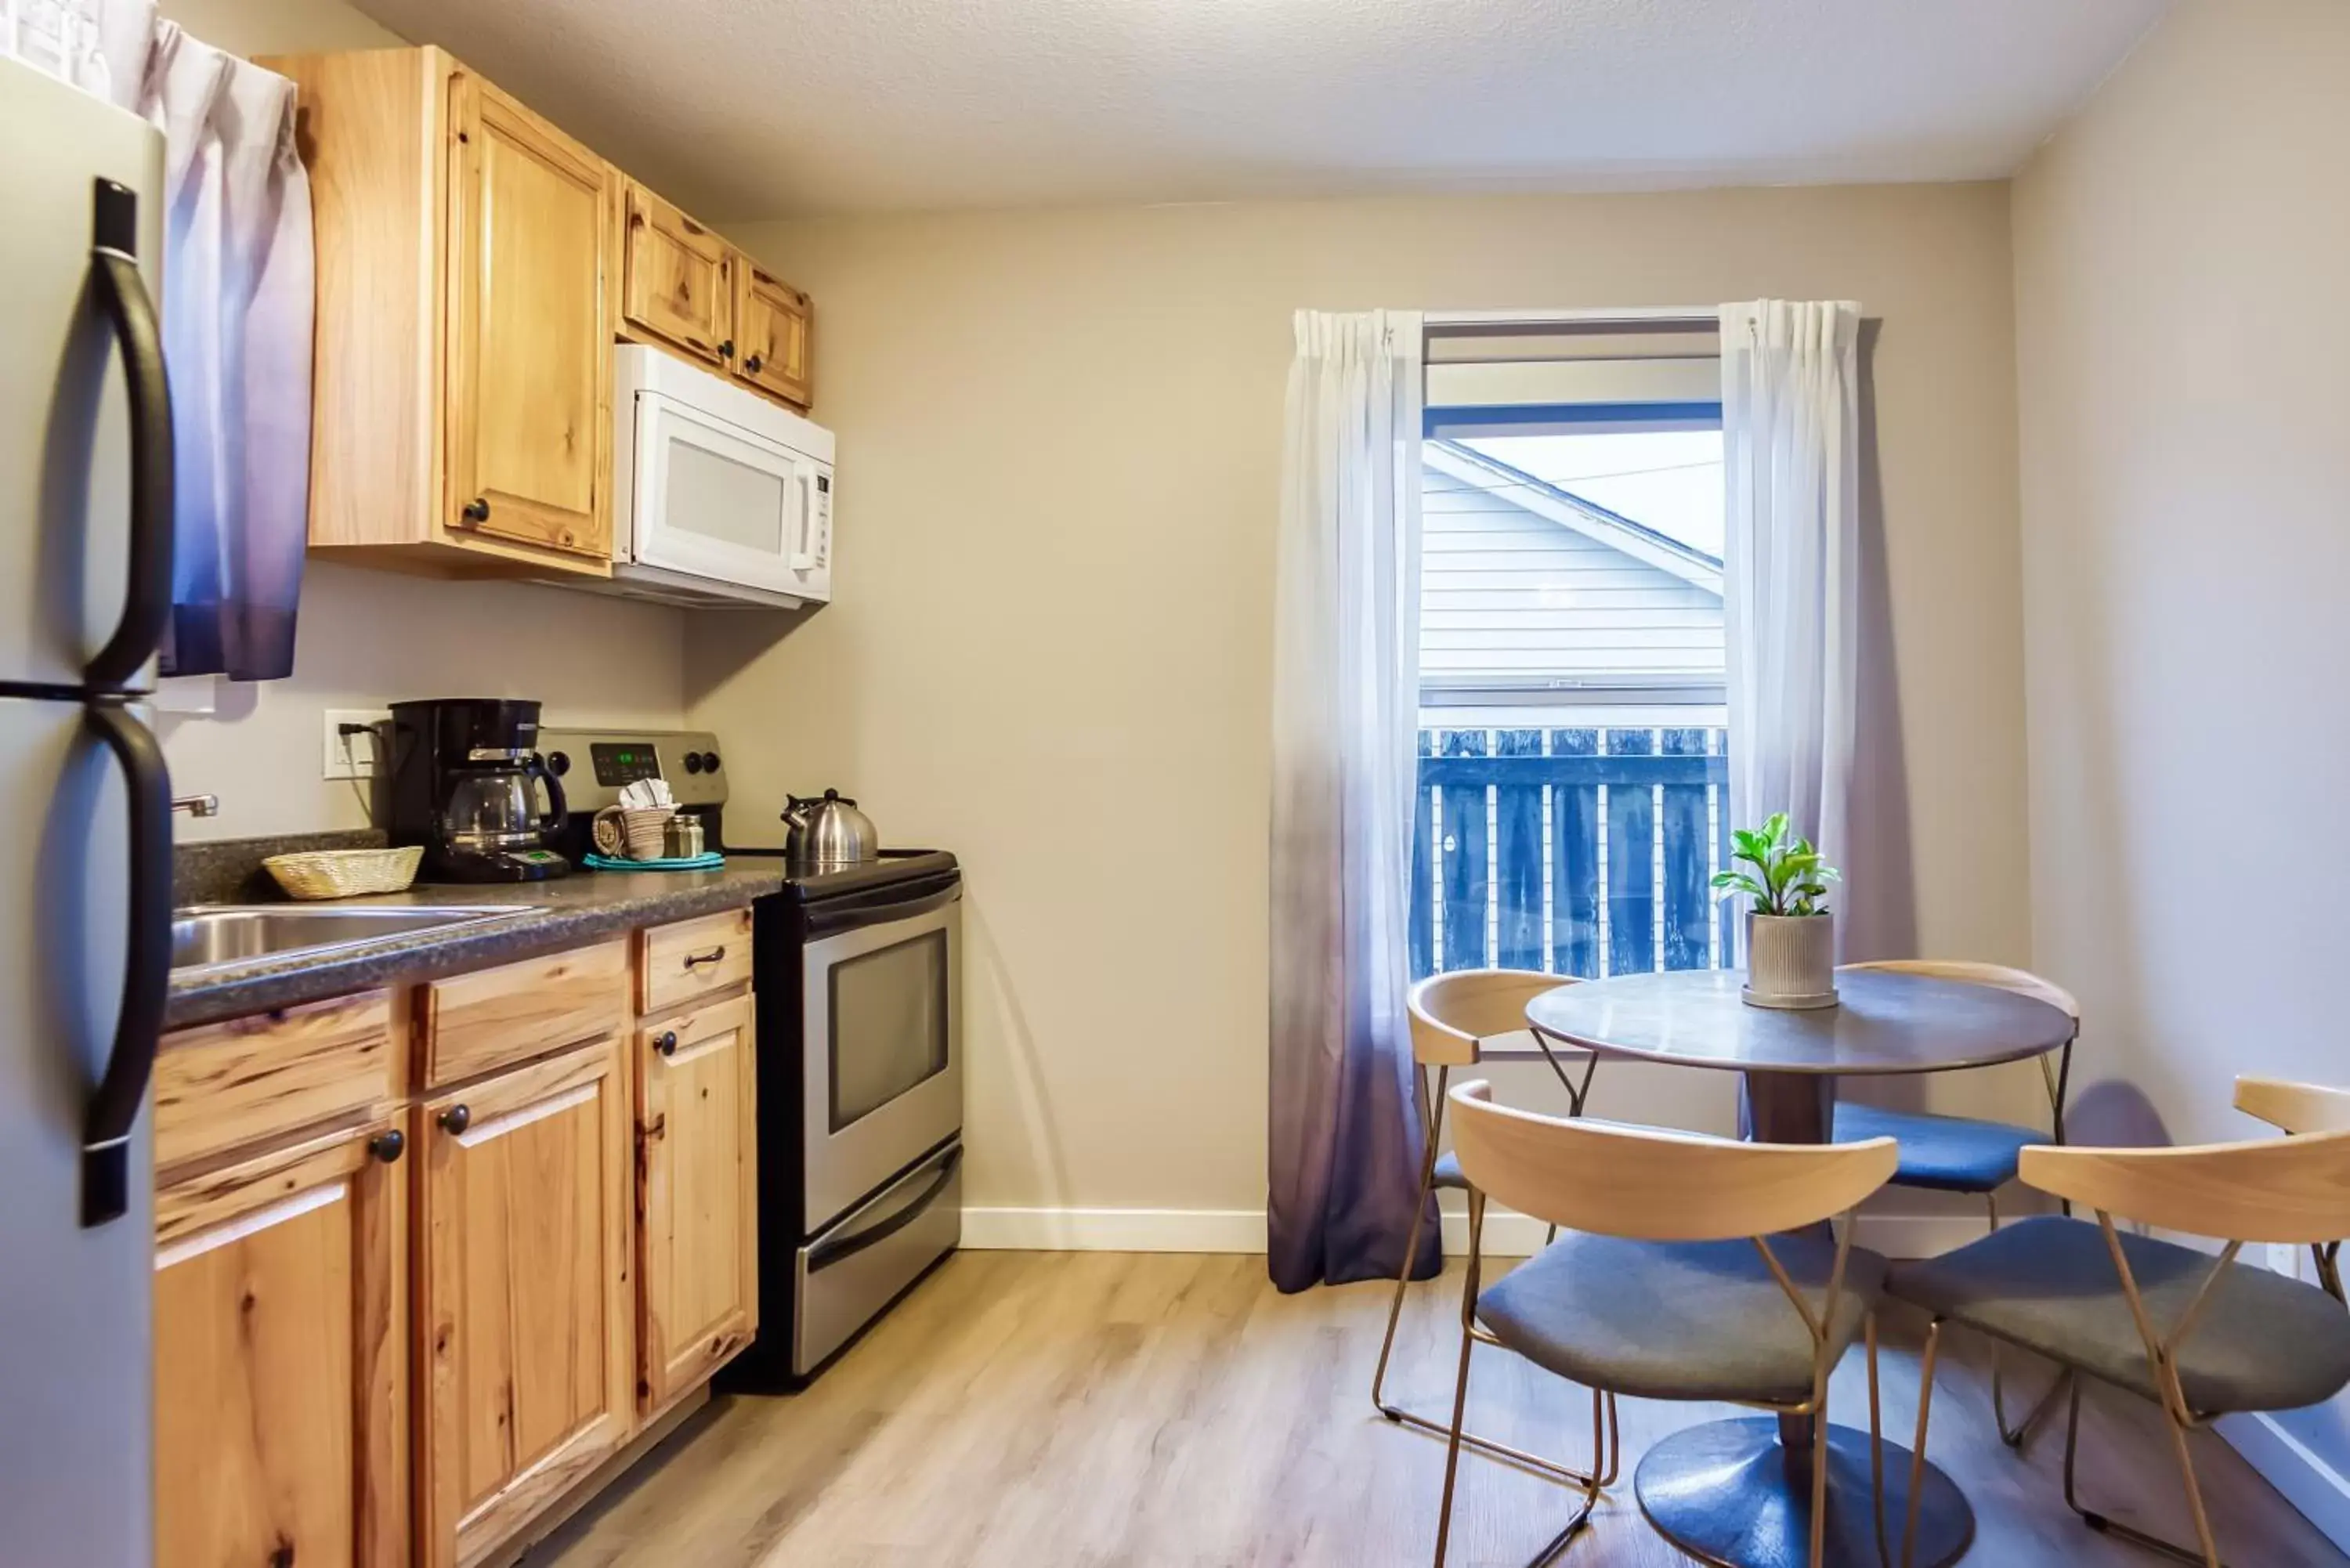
[1790, 561]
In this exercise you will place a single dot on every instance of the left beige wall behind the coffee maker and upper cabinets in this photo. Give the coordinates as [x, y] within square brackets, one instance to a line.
[370, 638]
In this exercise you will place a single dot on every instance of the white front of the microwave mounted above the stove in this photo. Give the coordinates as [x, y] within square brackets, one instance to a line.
[720, 502]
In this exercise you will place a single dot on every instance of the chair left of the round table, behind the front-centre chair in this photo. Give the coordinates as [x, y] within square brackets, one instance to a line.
[1453, 1017]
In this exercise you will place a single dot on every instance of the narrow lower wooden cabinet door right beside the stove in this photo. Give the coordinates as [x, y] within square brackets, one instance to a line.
[697, 1198]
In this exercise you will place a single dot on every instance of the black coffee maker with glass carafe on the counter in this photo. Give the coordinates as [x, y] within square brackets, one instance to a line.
[462, 786]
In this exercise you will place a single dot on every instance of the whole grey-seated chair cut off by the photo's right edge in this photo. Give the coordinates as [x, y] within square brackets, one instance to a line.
[2201, 1336]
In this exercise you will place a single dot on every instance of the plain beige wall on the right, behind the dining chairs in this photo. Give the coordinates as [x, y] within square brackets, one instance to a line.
[2187, 467]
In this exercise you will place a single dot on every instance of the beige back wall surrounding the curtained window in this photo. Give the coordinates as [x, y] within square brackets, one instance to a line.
[1052, 652]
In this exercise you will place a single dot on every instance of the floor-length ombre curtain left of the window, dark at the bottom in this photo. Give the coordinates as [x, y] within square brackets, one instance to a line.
[1345, 1134]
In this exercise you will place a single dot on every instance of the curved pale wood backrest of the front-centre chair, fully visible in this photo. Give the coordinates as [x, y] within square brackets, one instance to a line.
[1653, 1184]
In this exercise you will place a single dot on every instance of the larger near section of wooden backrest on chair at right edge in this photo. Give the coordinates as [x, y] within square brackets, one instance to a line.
[2274, 1191]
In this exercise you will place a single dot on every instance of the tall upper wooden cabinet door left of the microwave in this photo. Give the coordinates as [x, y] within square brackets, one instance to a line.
[530, 347]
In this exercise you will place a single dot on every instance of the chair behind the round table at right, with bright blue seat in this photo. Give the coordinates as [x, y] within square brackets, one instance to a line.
[1963, 1153]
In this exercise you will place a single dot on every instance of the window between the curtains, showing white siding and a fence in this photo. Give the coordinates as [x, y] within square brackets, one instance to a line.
[1573, 784]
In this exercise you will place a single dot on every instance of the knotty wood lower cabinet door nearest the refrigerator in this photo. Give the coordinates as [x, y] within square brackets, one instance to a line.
[281, 1360]
